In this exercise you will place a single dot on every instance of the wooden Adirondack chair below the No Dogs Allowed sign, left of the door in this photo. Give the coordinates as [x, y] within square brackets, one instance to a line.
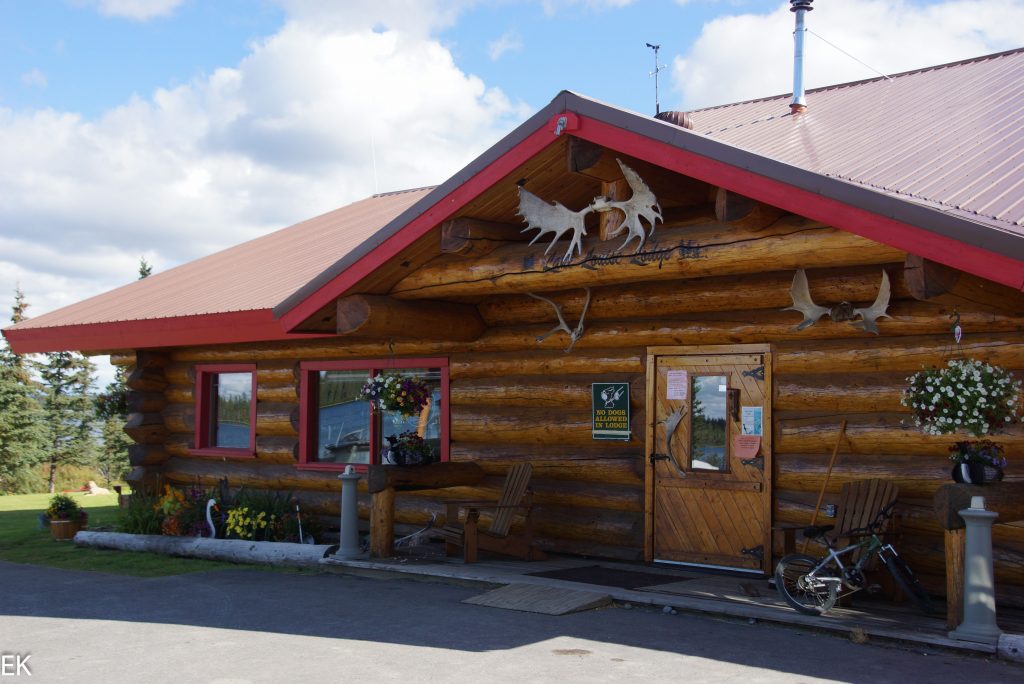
[516, 499]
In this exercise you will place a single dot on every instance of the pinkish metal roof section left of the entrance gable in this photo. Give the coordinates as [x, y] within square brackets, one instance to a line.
[254, 276]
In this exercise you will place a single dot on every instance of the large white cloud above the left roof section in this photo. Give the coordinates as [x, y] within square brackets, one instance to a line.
[281, 137]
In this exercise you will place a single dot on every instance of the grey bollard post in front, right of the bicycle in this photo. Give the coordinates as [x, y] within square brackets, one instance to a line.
[979, 584]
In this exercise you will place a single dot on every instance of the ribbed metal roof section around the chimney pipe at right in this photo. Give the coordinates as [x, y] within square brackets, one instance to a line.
[949, 137]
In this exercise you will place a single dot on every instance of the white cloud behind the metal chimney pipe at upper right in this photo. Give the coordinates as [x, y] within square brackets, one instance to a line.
[751, 56]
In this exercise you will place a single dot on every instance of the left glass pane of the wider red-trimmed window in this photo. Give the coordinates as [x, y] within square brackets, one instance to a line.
[344, 418]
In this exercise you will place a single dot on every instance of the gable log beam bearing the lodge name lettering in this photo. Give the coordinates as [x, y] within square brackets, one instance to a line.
[671, 254]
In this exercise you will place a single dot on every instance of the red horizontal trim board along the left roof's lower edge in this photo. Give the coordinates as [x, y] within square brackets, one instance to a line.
[259, 326]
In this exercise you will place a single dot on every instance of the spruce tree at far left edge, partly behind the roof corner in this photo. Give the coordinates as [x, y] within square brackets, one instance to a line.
[22, 431]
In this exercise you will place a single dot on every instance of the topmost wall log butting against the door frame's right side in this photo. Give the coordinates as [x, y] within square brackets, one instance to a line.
[871, 355]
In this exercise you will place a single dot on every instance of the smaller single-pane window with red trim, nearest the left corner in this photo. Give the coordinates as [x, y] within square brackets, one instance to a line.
[226, 410]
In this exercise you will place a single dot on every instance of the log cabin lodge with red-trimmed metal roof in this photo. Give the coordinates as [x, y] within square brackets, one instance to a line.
[918, 180]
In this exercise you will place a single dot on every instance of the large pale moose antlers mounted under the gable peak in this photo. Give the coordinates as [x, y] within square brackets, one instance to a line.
[557, 219]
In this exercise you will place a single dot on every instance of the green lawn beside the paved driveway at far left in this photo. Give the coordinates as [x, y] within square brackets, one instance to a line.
[22, 541]
